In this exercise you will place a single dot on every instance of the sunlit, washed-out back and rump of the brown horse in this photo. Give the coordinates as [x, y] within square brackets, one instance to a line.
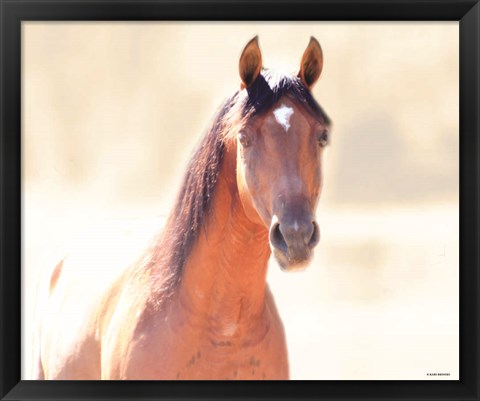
[76, 295]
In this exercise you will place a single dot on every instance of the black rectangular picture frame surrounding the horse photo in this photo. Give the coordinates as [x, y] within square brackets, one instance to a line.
[13, 12]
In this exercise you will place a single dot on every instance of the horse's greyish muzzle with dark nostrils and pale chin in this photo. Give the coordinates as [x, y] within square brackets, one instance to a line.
[292, 241]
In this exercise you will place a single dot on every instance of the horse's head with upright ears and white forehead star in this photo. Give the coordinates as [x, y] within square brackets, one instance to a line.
[279, 153]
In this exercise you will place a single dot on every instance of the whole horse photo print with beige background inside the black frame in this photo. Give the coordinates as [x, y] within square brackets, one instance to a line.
[240, 201]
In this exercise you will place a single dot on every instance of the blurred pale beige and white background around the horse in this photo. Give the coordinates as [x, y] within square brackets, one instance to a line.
[112, 111]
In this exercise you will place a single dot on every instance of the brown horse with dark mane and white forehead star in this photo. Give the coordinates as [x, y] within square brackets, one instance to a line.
[196, 304]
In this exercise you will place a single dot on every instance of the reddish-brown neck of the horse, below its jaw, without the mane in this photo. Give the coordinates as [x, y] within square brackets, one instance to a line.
[224, 280]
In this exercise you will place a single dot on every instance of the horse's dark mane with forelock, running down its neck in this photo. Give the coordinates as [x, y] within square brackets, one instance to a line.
[198, 188]
